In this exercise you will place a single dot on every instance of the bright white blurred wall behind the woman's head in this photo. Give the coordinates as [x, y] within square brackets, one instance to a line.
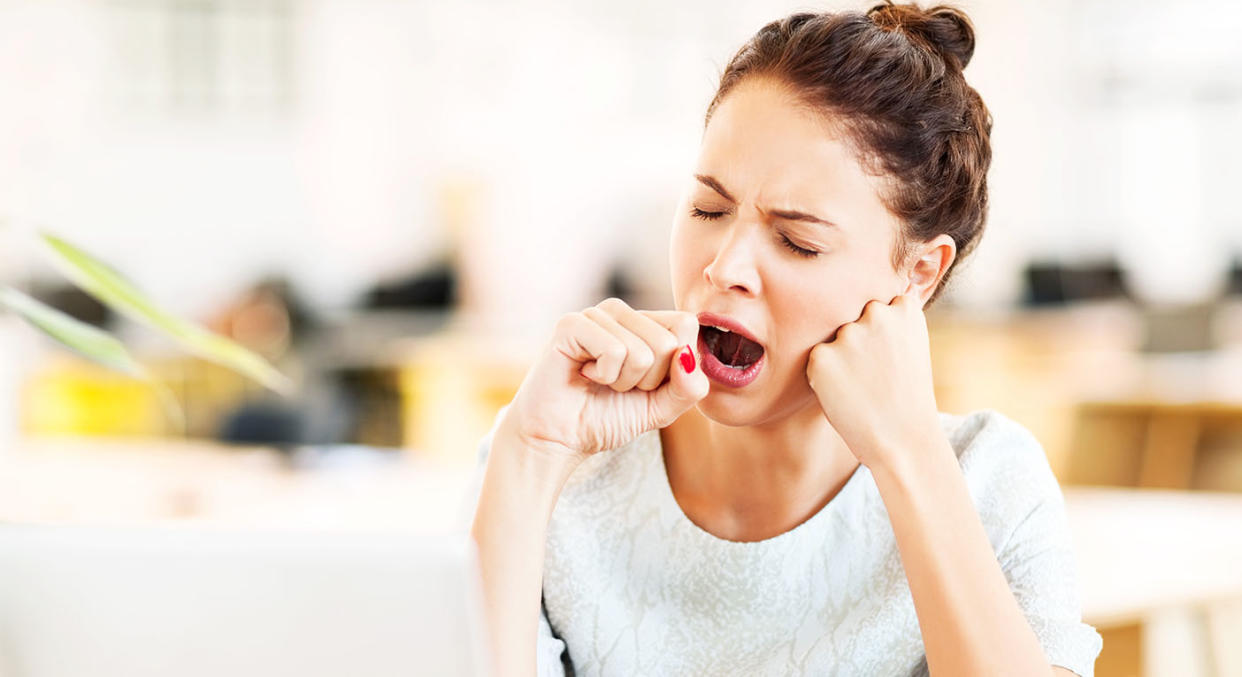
[579, 120]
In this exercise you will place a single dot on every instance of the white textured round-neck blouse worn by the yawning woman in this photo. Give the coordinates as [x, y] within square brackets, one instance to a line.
[633, 587]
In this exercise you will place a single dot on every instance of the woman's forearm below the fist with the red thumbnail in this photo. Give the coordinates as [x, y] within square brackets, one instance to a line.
[519, 494]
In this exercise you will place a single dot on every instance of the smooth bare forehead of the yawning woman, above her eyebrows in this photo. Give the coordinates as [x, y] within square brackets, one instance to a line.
[764, 146]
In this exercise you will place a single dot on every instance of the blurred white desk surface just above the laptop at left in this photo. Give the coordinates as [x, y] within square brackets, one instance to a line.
[135, 483]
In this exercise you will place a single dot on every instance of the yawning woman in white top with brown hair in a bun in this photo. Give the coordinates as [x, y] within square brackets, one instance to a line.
[761, 483]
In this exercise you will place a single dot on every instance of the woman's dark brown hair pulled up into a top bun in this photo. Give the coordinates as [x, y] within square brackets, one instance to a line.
[892, 80]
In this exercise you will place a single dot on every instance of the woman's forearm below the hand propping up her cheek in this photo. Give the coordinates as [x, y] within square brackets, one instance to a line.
[968, 616]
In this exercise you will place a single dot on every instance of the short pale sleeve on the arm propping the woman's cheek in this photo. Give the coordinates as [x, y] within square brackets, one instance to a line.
[1039, 562]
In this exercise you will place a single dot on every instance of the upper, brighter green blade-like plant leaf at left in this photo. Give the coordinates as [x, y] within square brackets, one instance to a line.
[111, 289]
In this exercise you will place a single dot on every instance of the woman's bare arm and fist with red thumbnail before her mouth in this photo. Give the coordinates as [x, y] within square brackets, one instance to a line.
[609, 375]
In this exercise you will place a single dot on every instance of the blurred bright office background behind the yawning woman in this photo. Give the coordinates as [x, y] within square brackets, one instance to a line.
[394, 201]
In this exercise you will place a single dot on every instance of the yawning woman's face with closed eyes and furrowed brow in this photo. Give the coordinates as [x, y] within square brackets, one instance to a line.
[772, 178]
